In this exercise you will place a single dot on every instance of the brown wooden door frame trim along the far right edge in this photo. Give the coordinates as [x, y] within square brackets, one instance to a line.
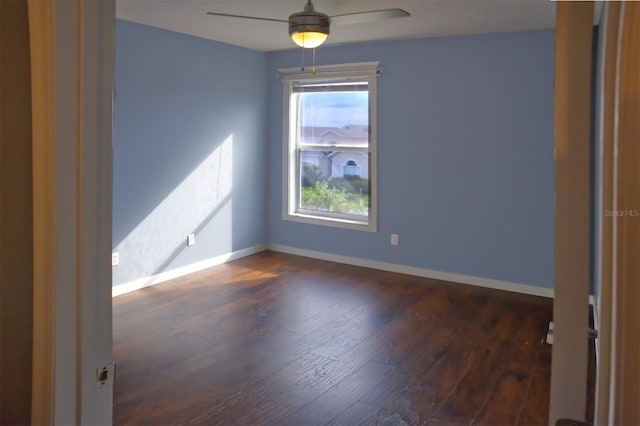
[618, 377]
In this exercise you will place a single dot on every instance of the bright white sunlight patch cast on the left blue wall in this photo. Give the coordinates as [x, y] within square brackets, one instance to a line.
[203, 197]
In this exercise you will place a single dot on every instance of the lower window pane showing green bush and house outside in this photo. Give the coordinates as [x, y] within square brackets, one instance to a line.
[334, 181]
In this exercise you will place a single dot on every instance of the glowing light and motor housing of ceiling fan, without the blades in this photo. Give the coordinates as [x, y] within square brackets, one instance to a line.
[309, 29]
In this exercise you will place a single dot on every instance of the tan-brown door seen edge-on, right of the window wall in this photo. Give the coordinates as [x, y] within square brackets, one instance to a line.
[572, 227]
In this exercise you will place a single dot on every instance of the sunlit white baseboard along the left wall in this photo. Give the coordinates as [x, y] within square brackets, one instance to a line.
[185, 270]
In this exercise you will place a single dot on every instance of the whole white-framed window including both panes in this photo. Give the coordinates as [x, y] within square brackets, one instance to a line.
[330, 146]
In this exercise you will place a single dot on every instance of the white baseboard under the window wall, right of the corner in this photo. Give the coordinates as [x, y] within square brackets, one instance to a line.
[420, 272]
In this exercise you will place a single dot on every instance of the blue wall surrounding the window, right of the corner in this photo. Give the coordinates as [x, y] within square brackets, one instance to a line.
[465, 142]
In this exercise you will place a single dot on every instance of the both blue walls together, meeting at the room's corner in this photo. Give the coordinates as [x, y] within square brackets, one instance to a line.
[465, 153]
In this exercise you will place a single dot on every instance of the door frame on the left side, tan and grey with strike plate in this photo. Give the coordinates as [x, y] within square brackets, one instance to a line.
[72, 55]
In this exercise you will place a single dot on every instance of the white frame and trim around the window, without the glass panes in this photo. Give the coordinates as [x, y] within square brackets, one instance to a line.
[291, 179]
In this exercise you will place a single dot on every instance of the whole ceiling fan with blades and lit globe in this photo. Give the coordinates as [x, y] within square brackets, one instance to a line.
[310, 28]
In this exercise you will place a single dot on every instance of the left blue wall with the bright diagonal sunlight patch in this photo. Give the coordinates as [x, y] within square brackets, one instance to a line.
[189, 145]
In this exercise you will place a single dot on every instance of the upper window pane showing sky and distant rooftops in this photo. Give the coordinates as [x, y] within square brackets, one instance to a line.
[334, 118]
